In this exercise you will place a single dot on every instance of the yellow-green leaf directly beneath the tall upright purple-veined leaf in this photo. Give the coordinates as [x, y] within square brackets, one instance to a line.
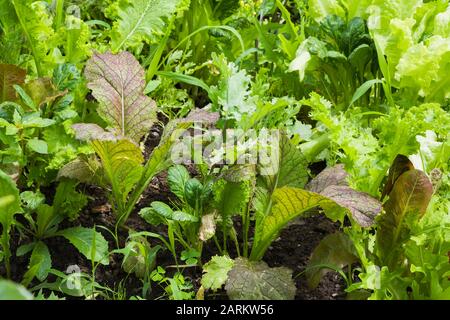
[122, 164]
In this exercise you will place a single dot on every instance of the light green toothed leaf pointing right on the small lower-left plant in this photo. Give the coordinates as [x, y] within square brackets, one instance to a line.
[83, 239]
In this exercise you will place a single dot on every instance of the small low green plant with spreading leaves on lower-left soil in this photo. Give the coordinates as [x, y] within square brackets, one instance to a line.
[43, 223]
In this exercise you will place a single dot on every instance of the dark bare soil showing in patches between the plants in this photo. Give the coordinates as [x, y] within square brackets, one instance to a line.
[292, 249]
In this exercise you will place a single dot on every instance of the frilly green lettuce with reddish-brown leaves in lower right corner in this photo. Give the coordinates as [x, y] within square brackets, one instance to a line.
[399, 261]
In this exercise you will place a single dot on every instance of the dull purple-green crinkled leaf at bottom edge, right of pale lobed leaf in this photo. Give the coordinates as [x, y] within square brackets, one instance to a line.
[256, 281]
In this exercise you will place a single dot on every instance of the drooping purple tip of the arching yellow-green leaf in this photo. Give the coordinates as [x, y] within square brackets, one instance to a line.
[362, 206]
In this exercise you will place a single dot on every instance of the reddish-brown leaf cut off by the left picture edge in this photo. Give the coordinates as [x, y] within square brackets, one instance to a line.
[10, 75]
